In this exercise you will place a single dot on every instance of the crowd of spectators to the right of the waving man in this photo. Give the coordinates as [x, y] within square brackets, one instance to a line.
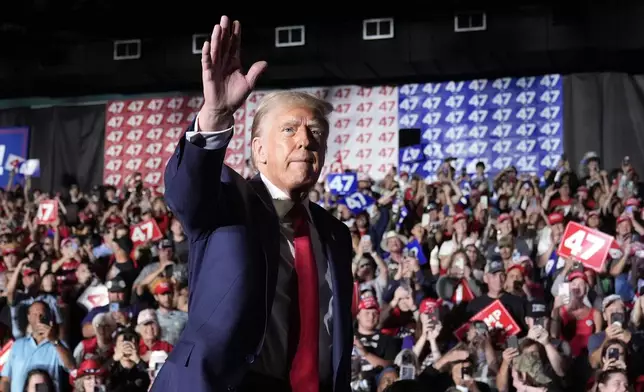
[468, 245]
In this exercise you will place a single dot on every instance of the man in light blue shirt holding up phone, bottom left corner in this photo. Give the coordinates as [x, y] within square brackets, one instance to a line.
[40, 349]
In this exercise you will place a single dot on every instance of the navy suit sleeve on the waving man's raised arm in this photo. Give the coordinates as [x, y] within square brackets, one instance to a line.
[193, 180]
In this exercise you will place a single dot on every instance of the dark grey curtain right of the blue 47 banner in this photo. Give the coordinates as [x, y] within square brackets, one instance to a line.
[604, 112]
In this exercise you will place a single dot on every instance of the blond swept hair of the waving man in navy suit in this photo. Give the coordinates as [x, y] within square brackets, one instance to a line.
[320, 108]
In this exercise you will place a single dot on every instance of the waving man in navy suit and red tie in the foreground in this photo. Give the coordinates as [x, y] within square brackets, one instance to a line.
[270, 273]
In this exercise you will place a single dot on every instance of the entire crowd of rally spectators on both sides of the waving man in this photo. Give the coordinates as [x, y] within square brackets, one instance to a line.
[429, 258]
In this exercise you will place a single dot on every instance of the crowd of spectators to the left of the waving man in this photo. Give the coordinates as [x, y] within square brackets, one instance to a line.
[84, 307]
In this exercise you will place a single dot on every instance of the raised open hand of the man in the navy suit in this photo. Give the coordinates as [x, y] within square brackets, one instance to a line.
[225, 87]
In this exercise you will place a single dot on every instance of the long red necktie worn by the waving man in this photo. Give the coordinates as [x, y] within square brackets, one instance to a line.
[304, 374]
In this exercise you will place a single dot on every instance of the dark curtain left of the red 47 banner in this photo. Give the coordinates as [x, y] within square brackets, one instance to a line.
[68, 140]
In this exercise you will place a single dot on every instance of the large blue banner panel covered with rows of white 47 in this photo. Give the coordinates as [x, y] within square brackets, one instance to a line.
[502, 122]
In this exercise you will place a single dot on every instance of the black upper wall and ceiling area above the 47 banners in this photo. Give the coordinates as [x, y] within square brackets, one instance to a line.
[64, 47]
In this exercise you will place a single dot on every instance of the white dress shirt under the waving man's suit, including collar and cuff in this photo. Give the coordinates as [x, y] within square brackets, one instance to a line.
[272, 360]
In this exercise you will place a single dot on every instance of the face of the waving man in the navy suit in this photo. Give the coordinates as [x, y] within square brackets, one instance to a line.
[291, 148]
